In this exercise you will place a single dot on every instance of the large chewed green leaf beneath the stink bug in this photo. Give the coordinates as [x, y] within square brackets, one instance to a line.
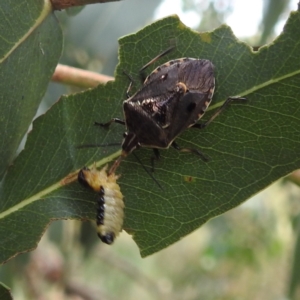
[250, 145]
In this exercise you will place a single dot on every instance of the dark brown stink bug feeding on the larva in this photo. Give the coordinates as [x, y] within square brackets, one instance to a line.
[173, 98]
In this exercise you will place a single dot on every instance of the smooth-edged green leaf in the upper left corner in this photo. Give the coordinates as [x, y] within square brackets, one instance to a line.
[30, 46]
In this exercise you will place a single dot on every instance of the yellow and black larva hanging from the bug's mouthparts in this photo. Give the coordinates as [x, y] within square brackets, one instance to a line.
[109, 203]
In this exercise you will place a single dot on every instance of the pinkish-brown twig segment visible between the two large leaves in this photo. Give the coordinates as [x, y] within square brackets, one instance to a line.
[78, 77]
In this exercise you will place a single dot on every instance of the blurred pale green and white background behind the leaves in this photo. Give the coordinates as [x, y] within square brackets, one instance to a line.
[251, 252]
